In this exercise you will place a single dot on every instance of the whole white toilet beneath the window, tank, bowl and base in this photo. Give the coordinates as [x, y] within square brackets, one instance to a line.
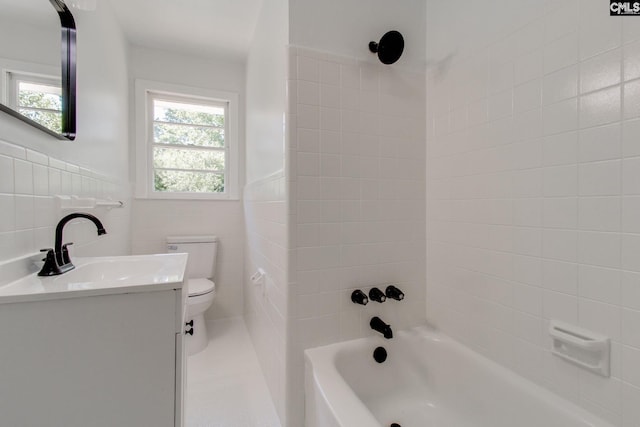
[200, 270]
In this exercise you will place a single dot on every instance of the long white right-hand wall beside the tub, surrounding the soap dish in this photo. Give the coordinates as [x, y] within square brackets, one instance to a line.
[532, 187]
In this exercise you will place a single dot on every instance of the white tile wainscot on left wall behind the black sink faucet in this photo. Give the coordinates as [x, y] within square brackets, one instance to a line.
[29, 182]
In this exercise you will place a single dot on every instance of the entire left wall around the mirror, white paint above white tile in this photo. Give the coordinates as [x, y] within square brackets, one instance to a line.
[35, 166]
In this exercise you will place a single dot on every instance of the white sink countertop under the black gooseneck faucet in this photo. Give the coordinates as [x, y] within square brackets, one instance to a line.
[101, 276]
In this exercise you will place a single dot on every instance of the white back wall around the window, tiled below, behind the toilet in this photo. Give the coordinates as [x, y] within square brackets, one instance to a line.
[153, 220]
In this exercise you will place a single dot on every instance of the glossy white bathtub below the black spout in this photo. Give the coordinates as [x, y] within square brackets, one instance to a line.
[428, 380]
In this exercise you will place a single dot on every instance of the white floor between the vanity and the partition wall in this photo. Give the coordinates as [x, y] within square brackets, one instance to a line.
[225, 385]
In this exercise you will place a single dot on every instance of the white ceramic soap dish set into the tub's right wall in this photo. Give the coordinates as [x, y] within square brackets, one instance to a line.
[581, 347]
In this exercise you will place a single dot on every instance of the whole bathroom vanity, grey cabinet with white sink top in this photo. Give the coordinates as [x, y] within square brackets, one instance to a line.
[100, 345]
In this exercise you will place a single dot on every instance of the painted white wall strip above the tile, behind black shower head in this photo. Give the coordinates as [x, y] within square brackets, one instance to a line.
[345, 27]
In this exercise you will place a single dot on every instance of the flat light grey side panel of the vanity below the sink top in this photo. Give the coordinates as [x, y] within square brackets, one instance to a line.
[99, 361]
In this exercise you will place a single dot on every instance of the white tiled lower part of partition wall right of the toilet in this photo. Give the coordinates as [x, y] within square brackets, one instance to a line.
[266, 306]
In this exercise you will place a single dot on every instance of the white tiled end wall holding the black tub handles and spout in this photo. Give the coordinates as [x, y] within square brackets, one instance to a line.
[357, 199]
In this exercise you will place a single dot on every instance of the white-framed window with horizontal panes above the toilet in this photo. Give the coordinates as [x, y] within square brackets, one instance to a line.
[187, 146]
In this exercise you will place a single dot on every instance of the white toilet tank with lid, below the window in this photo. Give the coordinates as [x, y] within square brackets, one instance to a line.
[202, 254]
